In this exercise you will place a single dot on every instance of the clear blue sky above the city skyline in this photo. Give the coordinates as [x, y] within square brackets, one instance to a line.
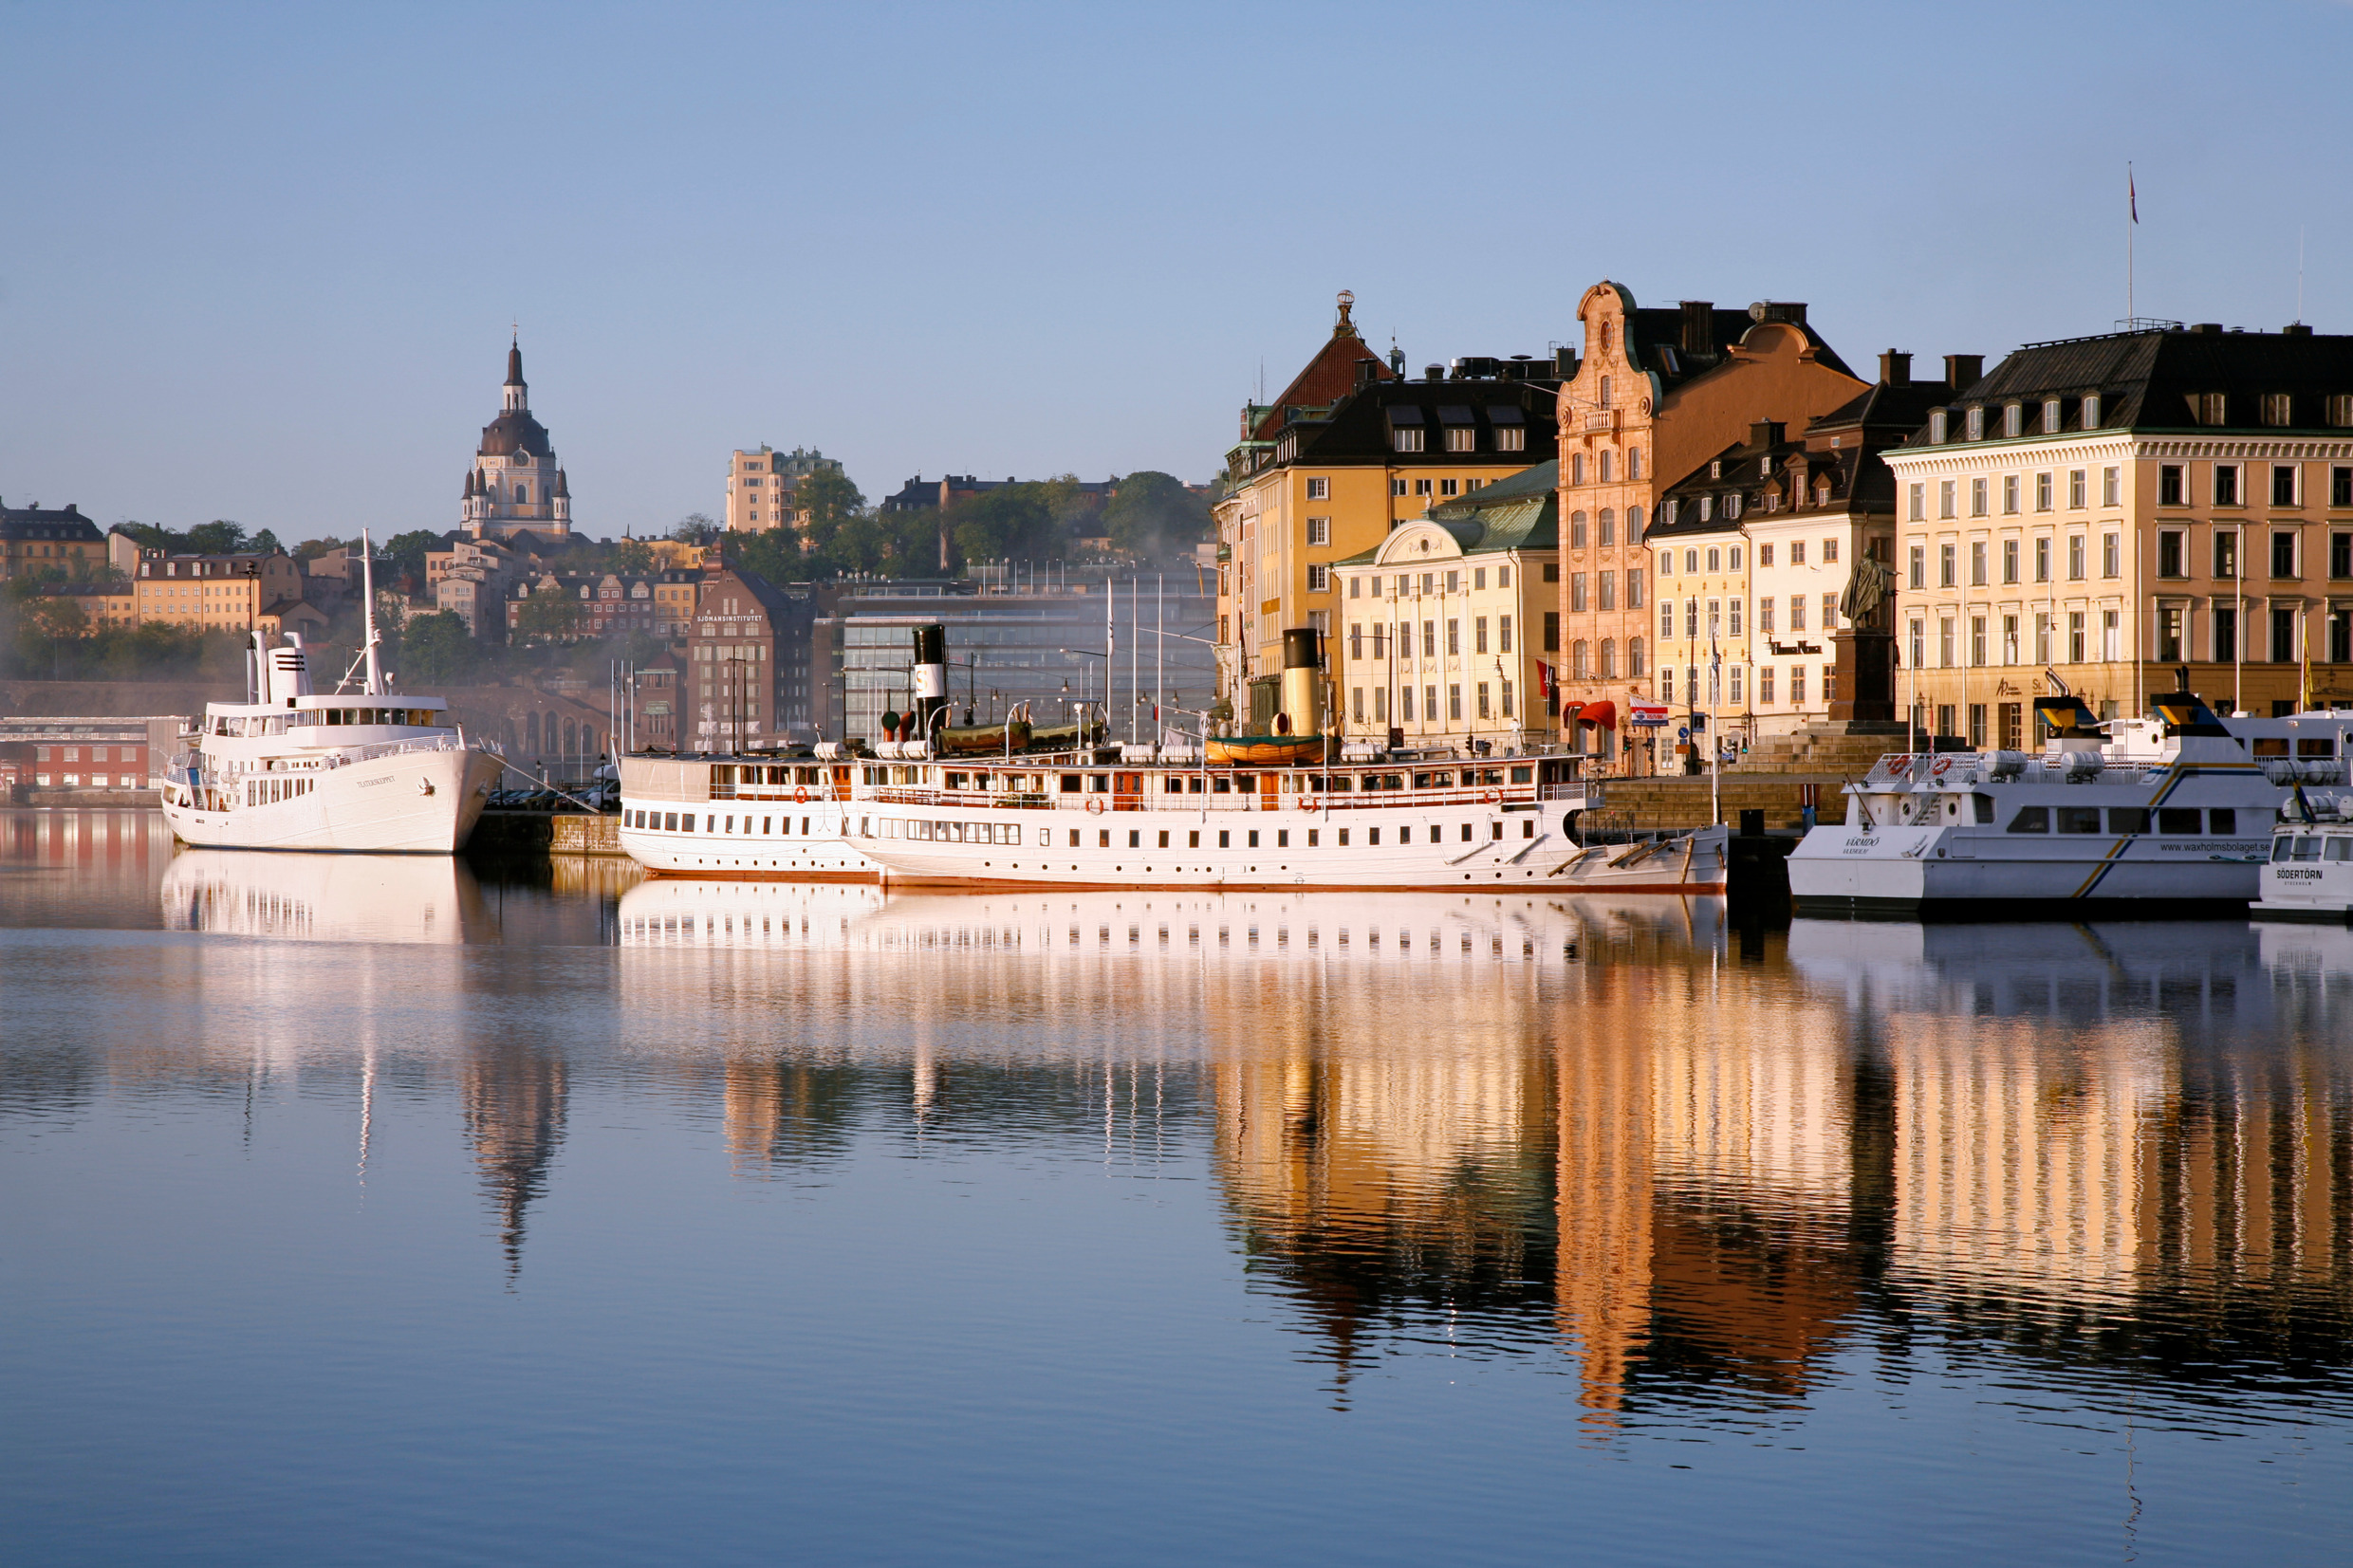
[262, 260]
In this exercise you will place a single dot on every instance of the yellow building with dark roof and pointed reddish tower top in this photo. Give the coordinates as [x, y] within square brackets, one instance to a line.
[1349, 453]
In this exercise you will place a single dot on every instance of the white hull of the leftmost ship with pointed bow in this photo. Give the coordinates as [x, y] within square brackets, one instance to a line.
[422, 803]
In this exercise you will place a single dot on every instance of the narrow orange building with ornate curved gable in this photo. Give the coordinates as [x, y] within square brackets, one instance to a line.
[1655, 396]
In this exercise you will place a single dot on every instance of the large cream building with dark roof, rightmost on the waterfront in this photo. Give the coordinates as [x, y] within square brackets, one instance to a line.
[2112, 509]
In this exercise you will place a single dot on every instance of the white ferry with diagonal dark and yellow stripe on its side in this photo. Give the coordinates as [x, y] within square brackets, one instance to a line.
[2131, 819]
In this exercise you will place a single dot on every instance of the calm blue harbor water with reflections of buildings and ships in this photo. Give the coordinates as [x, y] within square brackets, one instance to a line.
[387, 1214]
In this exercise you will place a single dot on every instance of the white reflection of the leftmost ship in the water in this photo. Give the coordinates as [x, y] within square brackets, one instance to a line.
[331, 899]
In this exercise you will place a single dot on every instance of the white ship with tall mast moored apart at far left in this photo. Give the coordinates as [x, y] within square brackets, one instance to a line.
[328, 770]
